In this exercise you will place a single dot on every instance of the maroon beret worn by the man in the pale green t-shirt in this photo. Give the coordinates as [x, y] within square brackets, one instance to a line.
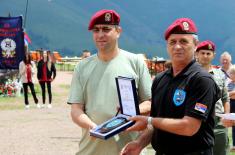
[109, 17]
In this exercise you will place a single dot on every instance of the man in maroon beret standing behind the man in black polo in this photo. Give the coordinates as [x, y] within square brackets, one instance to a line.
[205, 54]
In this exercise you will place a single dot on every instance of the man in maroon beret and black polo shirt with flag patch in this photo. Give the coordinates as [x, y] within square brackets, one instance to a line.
[183, 100]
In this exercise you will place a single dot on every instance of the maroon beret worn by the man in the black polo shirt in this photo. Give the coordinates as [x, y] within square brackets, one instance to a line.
[181, 26]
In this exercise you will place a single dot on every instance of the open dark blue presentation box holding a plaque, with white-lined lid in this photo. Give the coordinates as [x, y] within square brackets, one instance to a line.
[129, 106]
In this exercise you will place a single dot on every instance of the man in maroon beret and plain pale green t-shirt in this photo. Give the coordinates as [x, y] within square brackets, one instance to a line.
[93, 94]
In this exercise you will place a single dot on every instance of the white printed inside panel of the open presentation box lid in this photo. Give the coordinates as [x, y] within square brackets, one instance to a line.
[127, 97]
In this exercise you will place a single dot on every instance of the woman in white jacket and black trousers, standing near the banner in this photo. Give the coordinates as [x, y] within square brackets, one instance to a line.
[27, 70]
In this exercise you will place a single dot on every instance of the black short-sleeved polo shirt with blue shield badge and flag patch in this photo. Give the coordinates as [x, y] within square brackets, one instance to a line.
[193, 93]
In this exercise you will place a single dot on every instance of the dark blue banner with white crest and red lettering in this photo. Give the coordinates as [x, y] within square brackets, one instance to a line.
[11, 42]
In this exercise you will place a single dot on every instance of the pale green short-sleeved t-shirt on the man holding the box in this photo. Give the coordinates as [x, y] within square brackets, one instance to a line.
[93, 85]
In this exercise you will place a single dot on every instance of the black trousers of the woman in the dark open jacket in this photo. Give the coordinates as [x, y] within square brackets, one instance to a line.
[43, 87]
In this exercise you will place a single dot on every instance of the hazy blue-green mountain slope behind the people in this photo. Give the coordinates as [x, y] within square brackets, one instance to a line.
[62, 25]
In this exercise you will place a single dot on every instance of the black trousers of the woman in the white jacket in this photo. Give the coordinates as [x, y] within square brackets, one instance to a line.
[25, 87]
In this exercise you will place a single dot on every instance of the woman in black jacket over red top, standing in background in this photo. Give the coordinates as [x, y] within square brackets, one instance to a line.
[46, 74]
